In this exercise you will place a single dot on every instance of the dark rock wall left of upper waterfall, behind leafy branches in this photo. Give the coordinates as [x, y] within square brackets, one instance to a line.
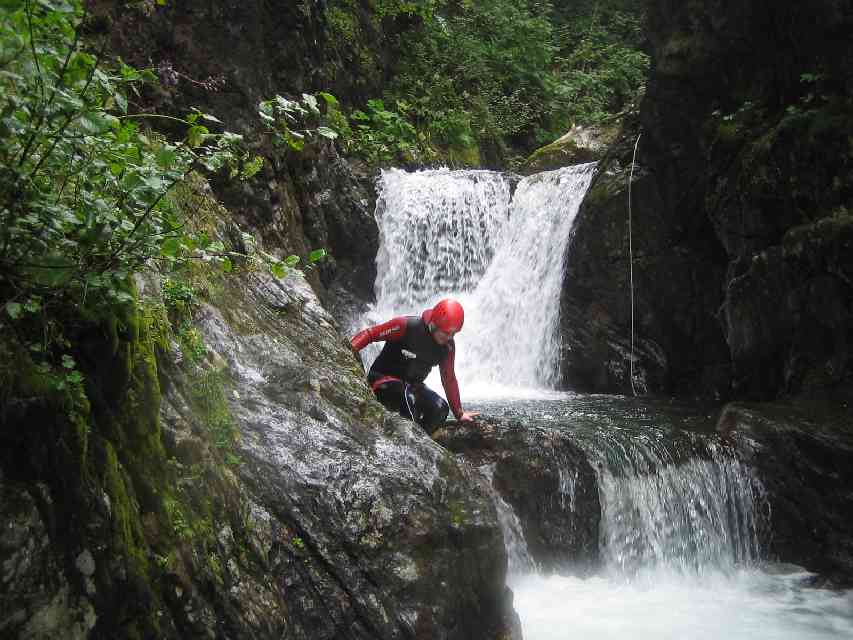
[298, 202]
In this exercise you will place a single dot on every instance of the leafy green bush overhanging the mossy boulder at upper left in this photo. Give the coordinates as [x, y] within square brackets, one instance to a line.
[86, 188]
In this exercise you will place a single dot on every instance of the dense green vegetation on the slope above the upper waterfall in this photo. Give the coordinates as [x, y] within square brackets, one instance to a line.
[499, 76]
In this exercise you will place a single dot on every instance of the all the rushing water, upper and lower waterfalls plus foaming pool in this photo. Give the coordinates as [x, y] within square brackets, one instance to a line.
[683, 523]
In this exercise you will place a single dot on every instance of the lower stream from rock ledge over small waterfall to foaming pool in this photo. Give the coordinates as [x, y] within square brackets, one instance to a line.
[682, 536]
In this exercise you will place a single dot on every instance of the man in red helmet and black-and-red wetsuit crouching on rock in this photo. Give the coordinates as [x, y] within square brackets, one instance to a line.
[413, 346]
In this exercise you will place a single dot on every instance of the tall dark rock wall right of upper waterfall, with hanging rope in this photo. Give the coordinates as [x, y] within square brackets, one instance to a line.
[741, 205]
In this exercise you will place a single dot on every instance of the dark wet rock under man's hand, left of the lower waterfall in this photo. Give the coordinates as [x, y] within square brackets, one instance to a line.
[546, 479]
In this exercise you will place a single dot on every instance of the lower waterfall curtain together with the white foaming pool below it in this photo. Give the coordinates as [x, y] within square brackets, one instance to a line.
[680, 558]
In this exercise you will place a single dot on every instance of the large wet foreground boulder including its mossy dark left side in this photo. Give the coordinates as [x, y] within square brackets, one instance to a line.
[261, 493]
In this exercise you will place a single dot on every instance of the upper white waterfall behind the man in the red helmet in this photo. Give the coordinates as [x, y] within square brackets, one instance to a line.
[458, 233]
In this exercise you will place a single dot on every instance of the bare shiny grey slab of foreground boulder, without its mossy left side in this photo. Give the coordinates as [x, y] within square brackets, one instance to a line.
[365, 527]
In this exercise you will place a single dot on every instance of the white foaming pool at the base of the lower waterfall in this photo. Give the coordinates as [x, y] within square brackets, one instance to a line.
[750, 604]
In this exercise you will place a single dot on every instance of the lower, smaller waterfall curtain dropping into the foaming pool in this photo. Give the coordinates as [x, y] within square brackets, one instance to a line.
[662, 511]
